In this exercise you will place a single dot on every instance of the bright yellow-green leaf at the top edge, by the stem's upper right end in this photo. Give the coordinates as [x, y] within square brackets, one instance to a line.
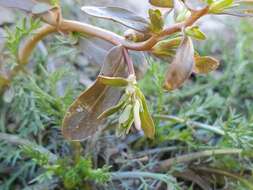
[219, 6]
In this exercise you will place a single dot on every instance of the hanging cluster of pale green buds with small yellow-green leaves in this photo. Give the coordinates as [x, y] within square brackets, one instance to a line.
[132, 107]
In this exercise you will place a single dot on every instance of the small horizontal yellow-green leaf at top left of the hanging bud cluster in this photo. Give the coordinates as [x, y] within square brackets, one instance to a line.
[113, 81]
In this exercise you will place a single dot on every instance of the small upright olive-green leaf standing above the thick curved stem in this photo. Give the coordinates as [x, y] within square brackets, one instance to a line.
[156, 19]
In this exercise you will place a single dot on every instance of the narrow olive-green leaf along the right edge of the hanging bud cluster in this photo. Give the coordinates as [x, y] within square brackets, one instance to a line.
[147, 123]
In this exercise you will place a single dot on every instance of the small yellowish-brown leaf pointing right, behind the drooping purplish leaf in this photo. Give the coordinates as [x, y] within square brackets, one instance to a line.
[205, 64]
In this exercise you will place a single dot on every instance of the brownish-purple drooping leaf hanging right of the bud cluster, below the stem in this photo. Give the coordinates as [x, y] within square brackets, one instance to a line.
[181, 66]
